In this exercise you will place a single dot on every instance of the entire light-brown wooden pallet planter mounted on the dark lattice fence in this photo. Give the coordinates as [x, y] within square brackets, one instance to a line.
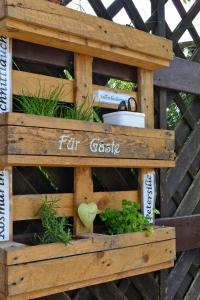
[28, 272]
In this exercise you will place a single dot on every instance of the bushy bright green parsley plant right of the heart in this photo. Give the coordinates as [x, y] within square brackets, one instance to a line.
[129, 219]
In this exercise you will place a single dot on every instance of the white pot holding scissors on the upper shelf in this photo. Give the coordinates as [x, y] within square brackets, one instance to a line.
[125, 118]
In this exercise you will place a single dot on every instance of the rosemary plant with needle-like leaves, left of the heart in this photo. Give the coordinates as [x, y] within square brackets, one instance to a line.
[55, 229]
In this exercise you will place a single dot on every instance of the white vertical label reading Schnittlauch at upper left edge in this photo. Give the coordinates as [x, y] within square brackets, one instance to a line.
[5, 74]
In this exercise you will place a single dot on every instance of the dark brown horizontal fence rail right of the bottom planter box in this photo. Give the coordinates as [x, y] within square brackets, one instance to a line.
[187, 231]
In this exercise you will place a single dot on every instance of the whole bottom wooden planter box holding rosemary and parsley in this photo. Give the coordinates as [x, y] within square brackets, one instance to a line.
[91, 260]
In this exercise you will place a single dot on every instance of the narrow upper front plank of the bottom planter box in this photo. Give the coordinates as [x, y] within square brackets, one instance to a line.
[19, 253]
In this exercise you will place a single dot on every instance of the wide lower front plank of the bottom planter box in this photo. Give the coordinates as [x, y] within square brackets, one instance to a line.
[93, 265]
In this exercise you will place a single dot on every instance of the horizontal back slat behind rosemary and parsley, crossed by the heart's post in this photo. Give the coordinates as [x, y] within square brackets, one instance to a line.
[25, 207]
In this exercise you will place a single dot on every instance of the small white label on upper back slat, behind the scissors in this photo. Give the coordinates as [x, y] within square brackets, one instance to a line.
[110, 97]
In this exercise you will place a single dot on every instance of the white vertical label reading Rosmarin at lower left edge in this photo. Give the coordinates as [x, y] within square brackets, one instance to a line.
[4, 206]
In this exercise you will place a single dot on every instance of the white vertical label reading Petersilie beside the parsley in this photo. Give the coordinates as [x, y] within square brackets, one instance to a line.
[149, 195]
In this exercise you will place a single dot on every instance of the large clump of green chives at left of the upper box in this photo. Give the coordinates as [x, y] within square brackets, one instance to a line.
[43, 103]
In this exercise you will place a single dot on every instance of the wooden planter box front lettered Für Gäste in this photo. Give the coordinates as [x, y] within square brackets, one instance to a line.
[36, 140]
